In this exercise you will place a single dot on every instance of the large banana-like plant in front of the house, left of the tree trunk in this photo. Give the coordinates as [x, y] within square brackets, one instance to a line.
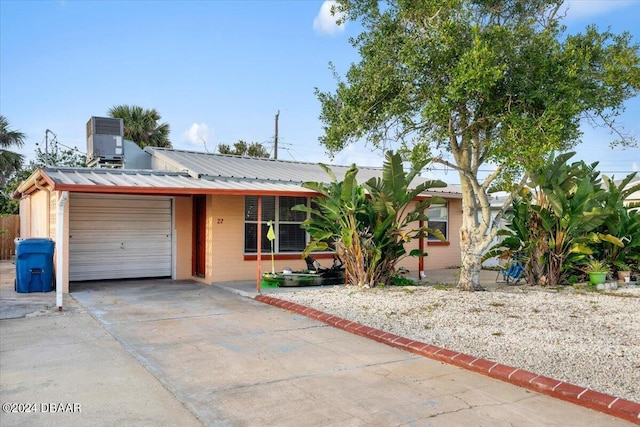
[368, 224]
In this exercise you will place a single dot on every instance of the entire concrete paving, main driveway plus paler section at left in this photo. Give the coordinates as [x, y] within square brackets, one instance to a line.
[160, 352]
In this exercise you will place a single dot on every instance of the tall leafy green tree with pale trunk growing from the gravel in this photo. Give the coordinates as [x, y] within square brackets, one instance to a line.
[471, 82]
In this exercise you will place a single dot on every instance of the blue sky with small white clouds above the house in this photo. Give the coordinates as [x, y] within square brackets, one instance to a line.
[216, 71]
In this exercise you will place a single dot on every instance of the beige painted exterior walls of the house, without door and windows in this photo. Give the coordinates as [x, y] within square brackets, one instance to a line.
[225, 260]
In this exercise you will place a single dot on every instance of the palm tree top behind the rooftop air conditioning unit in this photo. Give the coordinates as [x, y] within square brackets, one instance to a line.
[141, 126]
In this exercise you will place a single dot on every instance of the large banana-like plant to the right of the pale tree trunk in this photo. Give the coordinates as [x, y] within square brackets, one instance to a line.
[560, 220]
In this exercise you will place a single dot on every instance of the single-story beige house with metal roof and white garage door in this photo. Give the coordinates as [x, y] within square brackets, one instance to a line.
[192, 215]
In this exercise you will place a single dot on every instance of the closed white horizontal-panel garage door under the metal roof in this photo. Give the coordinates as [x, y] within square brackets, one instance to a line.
[118, 237]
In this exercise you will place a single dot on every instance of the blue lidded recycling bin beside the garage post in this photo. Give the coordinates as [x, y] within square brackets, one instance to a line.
[34, 265]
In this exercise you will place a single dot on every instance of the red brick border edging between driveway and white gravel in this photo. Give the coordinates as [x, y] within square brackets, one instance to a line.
[591, 399]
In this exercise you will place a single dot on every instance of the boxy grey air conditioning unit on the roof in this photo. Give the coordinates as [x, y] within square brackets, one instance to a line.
[105, 139]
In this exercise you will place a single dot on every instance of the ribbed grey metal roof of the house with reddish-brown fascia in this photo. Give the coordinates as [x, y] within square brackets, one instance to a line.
[201, 173]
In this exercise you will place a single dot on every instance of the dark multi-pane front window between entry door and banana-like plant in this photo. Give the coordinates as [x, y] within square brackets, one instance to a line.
[290, 237]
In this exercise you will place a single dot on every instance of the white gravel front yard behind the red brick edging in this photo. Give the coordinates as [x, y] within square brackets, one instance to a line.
[586, 339]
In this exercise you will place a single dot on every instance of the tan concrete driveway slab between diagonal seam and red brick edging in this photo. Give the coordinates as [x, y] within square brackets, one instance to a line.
[233, 361]
